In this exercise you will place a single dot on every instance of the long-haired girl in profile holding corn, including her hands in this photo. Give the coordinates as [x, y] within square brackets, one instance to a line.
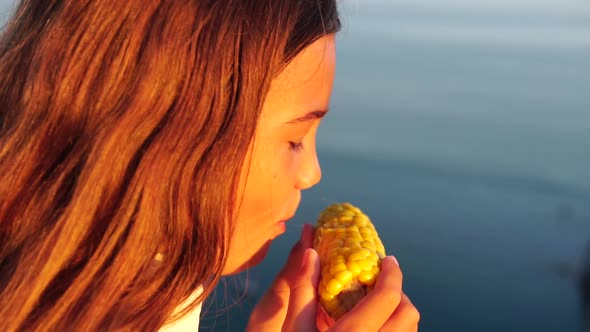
[148, 148]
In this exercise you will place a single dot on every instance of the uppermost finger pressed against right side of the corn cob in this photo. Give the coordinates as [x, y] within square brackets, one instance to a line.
[376, 308]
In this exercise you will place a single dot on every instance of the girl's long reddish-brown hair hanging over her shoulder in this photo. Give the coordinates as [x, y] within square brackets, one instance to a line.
[124, 126]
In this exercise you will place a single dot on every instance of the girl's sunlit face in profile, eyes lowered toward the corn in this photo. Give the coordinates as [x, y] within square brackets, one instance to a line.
[283, 158]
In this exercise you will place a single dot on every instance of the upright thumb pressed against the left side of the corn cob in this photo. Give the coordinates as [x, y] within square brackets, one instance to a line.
[301, 314]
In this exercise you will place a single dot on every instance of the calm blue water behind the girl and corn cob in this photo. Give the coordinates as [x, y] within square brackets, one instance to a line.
[463, 129]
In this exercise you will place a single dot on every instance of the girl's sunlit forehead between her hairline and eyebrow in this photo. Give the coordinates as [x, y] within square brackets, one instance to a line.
[306, 82]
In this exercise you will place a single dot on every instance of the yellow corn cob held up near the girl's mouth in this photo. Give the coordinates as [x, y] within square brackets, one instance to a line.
[350, 255]
